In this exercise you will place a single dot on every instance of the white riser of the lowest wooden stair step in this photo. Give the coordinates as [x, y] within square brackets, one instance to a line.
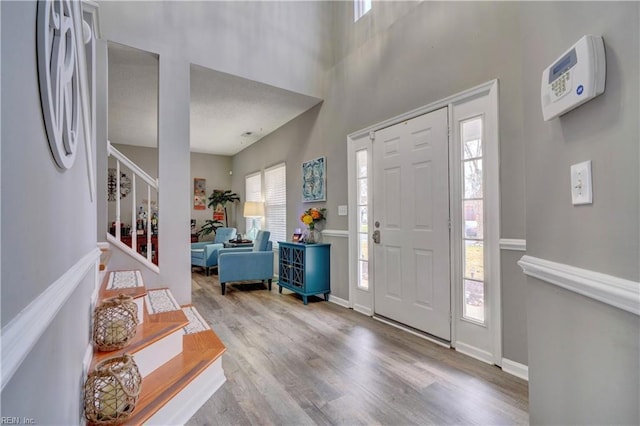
[186, 403]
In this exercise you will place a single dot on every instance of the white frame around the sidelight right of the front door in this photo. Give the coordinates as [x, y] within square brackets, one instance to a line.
[482, 341]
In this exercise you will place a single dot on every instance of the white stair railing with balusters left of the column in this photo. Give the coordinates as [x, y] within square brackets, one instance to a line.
[141, 218]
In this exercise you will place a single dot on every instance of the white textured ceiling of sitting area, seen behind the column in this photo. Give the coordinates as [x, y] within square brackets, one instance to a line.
[227, 113]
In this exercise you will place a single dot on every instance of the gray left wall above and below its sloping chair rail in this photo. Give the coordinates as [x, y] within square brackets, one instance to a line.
[48, 225]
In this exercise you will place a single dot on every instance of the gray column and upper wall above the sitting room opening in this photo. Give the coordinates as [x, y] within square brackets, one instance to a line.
[288, 49]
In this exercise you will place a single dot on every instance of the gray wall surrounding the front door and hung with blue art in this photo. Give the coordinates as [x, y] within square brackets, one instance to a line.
[396, 59]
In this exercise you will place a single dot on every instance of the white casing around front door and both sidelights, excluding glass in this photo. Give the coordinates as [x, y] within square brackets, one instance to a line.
[362, 300]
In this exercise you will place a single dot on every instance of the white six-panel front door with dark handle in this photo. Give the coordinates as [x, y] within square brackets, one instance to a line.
[411, 215]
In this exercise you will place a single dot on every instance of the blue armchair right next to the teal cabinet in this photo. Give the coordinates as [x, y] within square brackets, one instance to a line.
[247, 263]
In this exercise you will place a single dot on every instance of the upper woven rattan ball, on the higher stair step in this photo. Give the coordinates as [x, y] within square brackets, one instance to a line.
[114, 323]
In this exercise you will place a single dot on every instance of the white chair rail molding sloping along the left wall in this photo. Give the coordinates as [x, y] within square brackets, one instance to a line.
[21, 334]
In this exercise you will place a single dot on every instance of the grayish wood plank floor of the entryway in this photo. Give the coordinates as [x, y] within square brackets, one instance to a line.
[290, 364]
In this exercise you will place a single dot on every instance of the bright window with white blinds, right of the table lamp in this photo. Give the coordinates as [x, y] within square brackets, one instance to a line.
[275, 205]
